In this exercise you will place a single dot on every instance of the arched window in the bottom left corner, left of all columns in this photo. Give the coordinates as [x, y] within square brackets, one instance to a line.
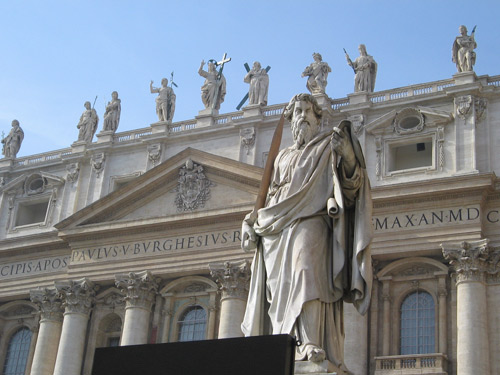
[17, 352]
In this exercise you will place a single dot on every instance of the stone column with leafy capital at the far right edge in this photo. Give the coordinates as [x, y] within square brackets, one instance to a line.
[470, 262]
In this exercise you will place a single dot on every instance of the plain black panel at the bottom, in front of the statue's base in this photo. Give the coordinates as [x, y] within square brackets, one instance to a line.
[260, 355]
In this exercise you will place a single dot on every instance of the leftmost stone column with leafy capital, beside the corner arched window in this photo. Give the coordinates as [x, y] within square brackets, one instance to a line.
[51, 316]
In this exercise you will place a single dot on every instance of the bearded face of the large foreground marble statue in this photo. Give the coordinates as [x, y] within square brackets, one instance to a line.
[305, 124]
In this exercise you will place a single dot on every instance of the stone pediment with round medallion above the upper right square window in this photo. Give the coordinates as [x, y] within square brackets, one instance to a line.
[408, 120]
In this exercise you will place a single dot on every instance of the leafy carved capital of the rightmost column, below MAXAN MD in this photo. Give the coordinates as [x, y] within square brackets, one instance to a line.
[471, 260]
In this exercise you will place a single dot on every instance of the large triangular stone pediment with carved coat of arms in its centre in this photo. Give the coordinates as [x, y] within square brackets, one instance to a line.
[192, 185]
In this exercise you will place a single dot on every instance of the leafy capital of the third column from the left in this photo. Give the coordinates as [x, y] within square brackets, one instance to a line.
[139, 288]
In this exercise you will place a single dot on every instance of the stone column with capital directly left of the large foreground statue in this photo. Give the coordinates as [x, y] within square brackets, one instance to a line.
[233, 281]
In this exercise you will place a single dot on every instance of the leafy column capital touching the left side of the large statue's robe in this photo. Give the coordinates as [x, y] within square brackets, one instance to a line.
[232, 277]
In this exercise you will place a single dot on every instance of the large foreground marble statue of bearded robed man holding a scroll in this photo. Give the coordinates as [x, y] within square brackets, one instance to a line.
[312, 238]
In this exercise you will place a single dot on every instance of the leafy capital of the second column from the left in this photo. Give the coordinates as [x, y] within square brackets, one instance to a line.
[77, 295]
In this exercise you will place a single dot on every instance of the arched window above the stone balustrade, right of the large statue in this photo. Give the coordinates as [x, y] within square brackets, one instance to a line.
[418, 324]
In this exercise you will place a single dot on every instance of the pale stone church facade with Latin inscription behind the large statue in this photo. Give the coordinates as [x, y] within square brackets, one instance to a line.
[97, 238]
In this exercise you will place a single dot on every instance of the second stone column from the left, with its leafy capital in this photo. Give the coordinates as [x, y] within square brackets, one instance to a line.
[78, 298]
